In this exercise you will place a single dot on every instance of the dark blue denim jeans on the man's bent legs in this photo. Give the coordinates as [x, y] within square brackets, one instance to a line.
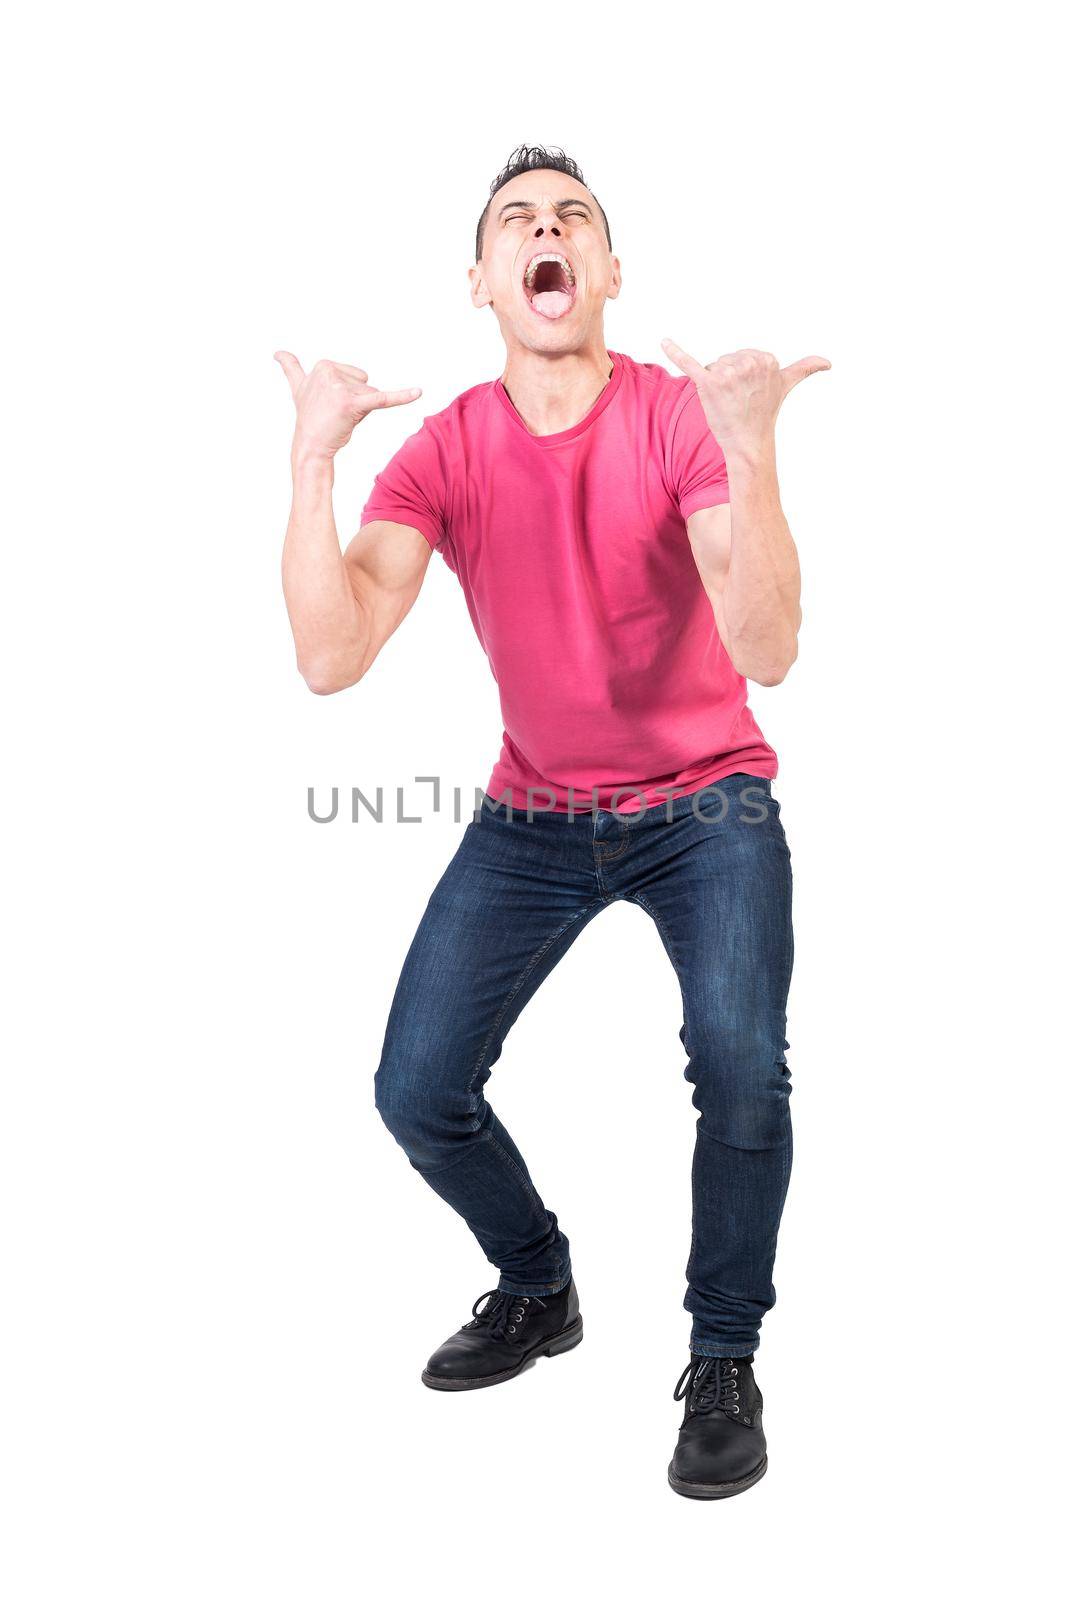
[714, 873]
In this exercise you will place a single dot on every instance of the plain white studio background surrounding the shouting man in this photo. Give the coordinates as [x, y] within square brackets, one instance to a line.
[223, 1278]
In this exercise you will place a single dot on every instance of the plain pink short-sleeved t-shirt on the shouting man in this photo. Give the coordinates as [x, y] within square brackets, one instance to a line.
[573, 554]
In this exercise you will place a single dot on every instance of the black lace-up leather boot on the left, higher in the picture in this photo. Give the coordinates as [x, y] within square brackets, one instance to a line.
[504, 1338]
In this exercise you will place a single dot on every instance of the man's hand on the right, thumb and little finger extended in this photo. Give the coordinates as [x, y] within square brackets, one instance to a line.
[741, 394]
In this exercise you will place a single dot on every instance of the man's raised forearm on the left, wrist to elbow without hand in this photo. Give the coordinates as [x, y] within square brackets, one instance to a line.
[324, 612]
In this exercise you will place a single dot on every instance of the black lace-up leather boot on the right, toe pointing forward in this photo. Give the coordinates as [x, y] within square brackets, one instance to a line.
[722, 1442]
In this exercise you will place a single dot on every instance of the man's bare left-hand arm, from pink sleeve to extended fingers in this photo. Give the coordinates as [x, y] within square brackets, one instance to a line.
[341, 609]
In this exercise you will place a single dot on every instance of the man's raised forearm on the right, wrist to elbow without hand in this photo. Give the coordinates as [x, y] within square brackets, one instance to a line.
[762, 598]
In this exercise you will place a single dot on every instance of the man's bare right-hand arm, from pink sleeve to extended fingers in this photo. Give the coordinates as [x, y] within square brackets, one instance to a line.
[744, 551]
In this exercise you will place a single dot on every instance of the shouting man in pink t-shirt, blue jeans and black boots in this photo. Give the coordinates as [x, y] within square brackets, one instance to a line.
[628, 567]
